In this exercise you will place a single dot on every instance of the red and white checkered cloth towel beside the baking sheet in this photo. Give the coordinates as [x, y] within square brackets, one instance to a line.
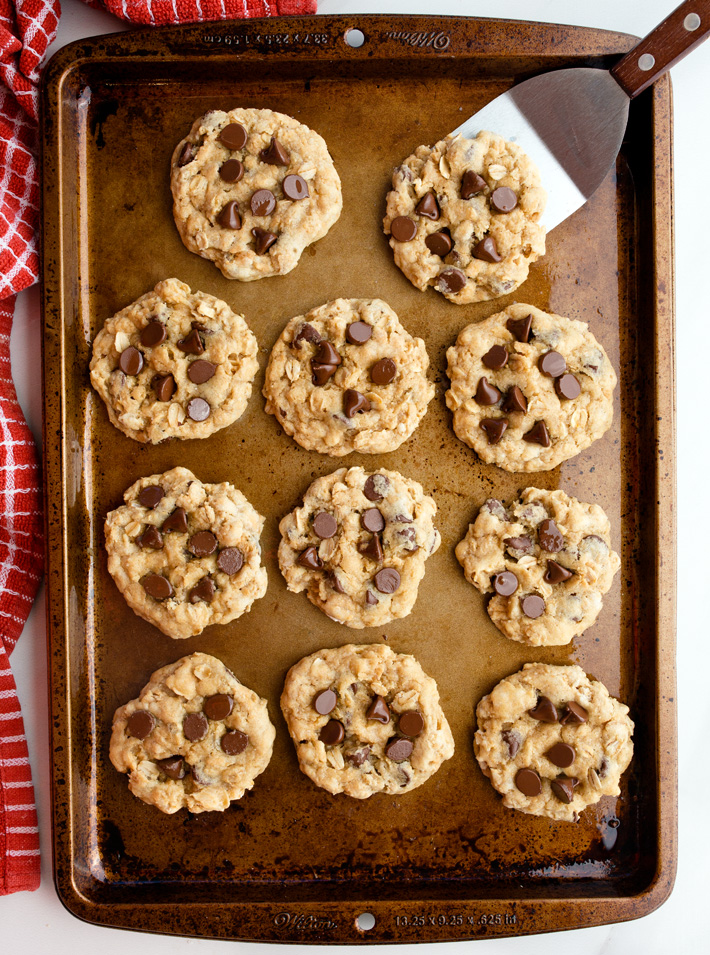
[27, 27]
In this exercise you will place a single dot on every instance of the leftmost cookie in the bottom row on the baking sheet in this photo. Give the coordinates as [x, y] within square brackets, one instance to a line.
[195, 738]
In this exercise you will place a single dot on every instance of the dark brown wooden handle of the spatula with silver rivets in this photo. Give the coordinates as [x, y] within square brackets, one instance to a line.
[679, 33]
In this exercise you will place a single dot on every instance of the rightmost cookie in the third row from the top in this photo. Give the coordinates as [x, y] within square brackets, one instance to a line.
[546, 559]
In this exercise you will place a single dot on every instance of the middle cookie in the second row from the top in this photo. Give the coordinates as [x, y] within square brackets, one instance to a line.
[348, 377]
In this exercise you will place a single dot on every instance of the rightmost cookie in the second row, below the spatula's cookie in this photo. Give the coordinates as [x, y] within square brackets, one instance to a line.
[529, 389]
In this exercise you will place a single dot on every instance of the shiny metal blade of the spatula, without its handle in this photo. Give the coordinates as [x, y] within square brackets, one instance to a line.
[570, 122]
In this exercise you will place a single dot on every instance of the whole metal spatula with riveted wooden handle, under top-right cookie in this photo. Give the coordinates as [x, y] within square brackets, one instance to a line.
[571, 122]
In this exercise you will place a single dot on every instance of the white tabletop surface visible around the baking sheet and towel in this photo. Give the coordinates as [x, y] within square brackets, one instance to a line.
[37, 922]
